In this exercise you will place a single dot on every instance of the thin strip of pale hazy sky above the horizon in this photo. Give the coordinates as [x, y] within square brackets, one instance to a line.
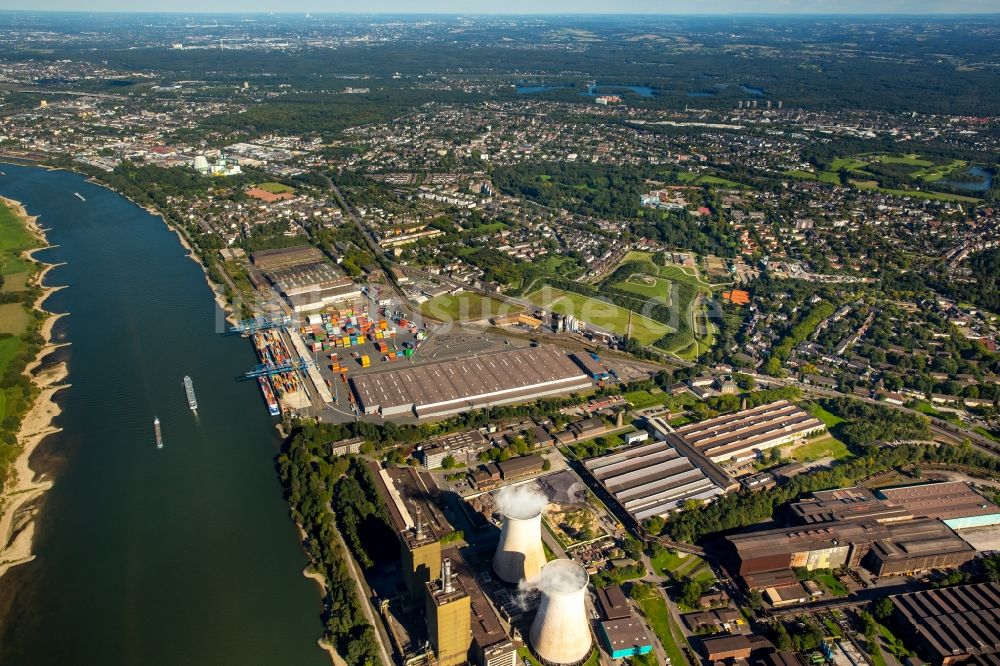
[524, 6]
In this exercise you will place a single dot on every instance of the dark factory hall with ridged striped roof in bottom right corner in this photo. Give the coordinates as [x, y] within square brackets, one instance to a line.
[953, 624]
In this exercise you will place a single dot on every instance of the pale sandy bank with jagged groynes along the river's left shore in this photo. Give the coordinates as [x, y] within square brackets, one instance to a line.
[17, 503]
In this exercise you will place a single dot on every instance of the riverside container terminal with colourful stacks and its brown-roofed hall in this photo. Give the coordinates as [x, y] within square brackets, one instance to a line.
[370, 359]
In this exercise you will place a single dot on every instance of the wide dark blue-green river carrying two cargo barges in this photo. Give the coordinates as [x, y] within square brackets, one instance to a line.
[184, 555]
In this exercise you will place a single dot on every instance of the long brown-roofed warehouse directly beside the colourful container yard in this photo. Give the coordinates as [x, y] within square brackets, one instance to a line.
[451, 387]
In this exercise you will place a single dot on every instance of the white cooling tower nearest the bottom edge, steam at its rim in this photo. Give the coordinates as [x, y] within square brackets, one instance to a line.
[560, 633]
